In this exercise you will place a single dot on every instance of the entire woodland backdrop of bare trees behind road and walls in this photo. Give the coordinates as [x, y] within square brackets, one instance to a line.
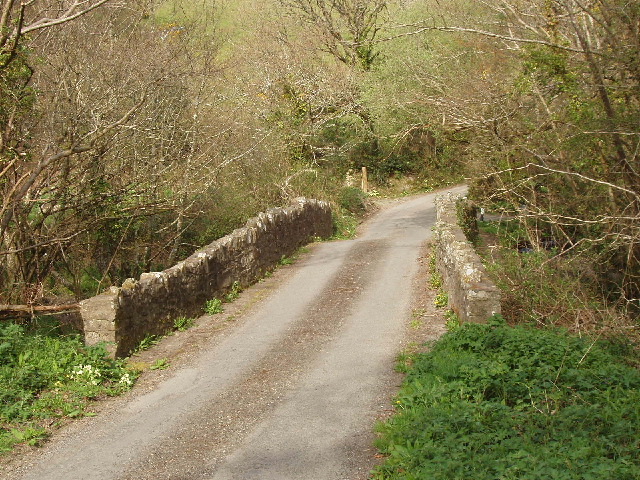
[133, 132]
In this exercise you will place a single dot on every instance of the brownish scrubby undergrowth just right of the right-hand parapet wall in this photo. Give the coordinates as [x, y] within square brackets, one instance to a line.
[549, 286]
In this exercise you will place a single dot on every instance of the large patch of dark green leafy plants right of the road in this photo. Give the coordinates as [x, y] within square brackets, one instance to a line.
[498, 402]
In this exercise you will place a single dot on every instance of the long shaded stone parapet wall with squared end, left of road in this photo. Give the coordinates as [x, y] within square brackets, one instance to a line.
[124, 316]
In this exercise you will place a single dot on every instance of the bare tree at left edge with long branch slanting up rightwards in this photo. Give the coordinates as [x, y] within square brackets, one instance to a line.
[18, 173]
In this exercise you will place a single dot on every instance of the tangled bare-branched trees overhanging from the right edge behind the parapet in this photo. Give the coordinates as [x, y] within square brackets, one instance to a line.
[562, 139]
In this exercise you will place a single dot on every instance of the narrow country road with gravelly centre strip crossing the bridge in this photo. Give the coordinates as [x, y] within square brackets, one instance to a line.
[289, 388]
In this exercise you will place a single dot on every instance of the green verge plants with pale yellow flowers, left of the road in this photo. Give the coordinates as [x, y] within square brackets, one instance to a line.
[46, 376]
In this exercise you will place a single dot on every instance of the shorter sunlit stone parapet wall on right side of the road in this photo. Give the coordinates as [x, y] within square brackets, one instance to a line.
[472, 296]
